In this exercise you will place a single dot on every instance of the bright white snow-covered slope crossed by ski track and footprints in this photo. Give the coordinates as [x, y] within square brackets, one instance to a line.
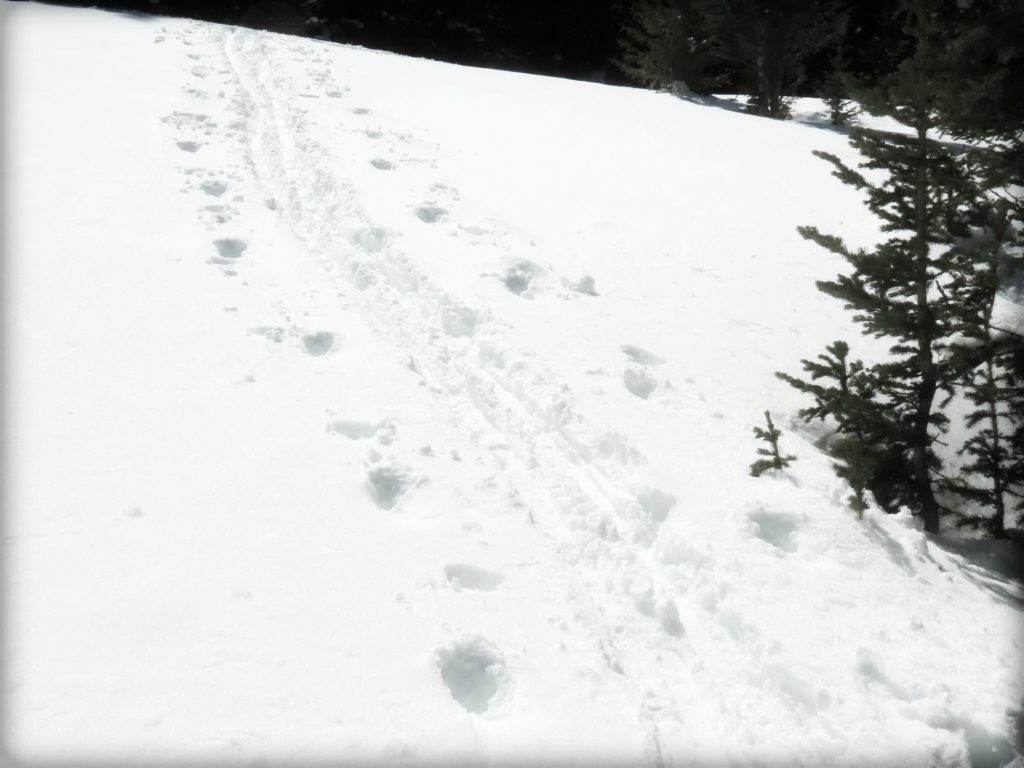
[366, 408]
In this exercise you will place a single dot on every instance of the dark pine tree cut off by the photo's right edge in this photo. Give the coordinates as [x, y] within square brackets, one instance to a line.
[980, 101]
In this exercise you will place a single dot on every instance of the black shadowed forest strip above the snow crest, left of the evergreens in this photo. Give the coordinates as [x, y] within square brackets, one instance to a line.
[570, 38]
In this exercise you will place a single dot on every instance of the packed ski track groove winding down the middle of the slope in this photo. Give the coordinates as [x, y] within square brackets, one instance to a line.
[585, 474]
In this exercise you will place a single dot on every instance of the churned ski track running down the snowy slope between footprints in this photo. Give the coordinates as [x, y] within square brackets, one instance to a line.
[592, 480]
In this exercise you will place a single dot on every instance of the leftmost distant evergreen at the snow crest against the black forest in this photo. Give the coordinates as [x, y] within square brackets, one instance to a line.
[664, 48]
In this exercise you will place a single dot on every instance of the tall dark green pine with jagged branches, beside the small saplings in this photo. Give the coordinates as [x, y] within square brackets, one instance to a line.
[901, 290]
